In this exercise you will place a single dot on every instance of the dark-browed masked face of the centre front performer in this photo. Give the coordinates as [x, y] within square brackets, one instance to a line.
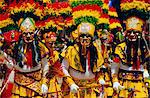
[85, 40]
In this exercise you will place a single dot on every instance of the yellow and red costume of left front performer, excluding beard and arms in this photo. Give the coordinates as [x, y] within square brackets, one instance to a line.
[28, 84]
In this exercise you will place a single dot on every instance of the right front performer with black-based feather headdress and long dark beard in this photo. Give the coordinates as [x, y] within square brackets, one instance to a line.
[131, 55]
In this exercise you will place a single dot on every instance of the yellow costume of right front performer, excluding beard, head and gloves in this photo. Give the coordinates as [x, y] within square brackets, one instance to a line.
[132, 80]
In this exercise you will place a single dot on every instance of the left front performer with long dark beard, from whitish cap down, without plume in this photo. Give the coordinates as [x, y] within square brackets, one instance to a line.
[28, 54]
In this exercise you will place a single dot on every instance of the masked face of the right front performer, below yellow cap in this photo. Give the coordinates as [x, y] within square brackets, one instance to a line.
[132, 35]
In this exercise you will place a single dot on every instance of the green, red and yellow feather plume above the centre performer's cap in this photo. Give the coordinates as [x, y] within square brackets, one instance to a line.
[86, 11]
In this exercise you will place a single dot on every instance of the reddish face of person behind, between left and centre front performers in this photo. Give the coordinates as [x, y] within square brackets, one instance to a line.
[50, 39]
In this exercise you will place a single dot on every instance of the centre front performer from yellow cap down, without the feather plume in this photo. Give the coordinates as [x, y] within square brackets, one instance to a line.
[81, 63]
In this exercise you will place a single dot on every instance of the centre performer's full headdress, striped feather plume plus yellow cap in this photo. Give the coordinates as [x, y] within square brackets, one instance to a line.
[87, 15]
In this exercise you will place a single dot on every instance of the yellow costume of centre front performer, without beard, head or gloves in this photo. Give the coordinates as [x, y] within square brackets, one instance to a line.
[75, 73]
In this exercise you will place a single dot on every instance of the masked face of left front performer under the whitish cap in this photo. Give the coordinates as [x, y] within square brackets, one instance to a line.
[28, 37]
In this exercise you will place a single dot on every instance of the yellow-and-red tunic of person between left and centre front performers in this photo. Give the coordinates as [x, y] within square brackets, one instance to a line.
[54, 76]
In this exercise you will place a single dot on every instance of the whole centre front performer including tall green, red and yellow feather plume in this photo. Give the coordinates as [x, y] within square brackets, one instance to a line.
[82, 60]
